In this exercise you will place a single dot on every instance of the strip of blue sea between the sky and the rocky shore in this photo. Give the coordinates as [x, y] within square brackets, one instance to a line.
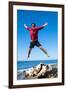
[28, 64]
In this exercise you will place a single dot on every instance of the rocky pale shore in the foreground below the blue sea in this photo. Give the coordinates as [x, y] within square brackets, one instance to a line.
[39, 71]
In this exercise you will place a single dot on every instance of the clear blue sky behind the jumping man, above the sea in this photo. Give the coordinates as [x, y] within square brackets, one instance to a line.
[48, 36]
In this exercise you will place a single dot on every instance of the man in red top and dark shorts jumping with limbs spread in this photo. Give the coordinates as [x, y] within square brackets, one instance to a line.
[34, 38]
